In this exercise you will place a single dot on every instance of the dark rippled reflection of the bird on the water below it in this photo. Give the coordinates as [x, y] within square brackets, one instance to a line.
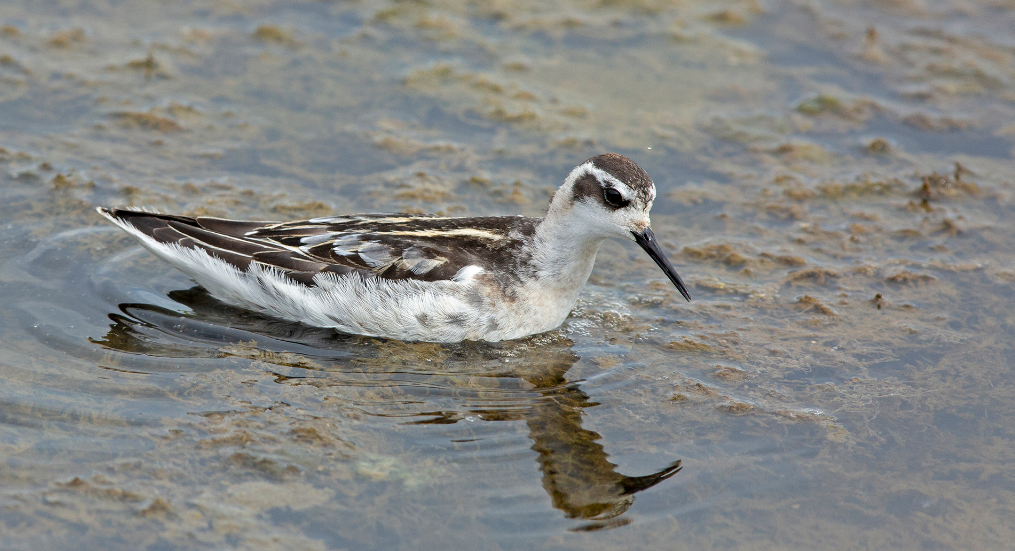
[518, 381]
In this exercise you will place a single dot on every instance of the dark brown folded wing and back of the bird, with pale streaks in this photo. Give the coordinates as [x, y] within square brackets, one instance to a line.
[392, 247]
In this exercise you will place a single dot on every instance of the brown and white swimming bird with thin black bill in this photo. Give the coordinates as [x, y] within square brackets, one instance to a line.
[416, 278]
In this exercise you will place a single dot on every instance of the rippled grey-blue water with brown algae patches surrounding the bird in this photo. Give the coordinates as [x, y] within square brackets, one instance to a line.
[837, 187]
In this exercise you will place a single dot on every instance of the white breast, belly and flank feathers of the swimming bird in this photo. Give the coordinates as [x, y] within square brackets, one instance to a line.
[461, 309]
